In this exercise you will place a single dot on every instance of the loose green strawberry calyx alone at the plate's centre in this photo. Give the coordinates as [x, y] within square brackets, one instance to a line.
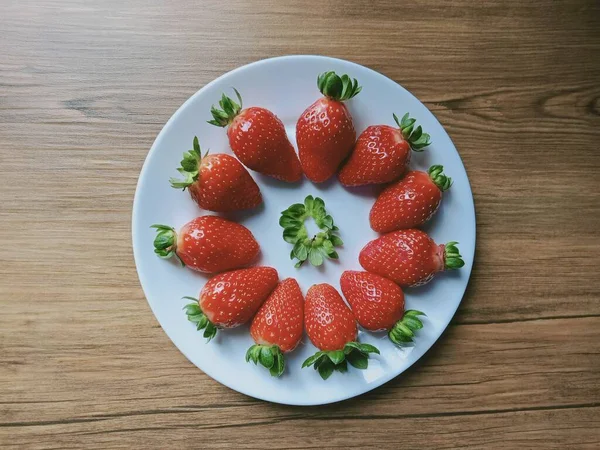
[319, 247]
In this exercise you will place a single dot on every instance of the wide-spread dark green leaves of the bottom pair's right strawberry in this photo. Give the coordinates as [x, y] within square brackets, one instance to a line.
[355, 353]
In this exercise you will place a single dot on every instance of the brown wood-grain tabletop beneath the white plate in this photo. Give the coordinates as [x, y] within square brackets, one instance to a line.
[86, 86]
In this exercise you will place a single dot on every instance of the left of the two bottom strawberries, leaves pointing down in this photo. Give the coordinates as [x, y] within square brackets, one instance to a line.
[277, 327]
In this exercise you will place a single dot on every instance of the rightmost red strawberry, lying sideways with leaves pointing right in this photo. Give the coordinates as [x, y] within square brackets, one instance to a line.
[409, 257]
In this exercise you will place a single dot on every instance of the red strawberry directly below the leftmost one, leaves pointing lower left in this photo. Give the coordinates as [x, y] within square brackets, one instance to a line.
[231, 299]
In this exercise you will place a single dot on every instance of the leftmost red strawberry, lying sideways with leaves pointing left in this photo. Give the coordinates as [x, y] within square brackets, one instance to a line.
[207, 244]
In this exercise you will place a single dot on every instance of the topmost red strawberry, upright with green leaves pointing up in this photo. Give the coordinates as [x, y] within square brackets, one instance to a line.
[324, 132]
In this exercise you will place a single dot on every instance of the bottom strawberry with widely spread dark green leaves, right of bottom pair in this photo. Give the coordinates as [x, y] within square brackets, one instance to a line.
[332, 328]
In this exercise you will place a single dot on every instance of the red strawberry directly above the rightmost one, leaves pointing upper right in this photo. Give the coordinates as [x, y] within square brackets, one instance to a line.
[410, 202]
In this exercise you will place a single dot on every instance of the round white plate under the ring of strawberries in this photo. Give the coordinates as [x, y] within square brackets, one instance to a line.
[286, 86]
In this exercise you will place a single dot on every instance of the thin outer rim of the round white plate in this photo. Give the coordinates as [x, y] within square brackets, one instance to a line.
[136, 205]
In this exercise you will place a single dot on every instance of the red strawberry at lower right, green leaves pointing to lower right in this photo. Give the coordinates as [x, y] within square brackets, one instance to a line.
[378, 304]
